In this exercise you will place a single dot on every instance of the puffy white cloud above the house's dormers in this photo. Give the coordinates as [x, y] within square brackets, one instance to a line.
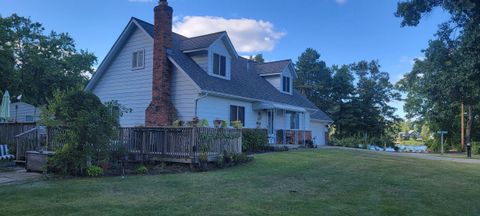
[247, 35]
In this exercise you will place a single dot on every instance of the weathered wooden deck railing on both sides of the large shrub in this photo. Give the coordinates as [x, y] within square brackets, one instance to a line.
[183, 144]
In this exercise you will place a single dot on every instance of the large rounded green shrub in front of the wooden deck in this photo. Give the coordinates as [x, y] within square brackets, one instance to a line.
[89, 126]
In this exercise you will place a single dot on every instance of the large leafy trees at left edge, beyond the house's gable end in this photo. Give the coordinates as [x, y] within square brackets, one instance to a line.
[34, 64]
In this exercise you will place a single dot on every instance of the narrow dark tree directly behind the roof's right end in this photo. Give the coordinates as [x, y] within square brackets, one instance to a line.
[314, 79]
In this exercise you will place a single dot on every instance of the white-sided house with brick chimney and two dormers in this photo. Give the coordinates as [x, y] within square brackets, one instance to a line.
[163, 76]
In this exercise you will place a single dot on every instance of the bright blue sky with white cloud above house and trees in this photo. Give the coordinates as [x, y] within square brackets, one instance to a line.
[343, 31]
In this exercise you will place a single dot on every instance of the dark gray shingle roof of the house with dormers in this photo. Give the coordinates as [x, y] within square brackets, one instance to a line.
[244, 81]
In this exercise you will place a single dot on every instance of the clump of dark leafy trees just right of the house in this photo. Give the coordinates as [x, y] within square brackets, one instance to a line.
[356, 96]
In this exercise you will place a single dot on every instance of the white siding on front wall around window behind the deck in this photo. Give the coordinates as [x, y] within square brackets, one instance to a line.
[212, 108]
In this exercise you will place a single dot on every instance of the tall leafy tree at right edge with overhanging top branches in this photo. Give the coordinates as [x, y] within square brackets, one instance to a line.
[448, 76]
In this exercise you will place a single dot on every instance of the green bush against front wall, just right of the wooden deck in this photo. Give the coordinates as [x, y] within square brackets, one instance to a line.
[254, 140]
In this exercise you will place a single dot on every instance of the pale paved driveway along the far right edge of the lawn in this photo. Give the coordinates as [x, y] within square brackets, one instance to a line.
[415, 155]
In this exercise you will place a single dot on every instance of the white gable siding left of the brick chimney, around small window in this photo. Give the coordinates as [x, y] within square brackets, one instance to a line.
[131, 88]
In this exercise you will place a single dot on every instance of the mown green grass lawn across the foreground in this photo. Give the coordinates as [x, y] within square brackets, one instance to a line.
[309, 182]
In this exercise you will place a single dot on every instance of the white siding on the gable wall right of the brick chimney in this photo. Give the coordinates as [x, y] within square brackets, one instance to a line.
[184, 93]
